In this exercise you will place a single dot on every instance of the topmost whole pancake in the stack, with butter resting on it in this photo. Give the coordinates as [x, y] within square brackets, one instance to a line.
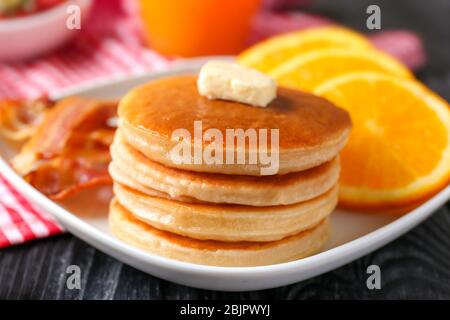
[312, 130]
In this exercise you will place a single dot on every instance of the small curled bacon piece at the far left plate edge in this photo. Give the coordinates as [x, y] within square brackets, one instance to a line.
[19, 119]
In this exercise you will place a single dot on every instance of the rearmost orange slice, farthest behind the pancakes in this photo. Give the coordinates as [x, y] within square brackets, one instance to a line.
[272, 52]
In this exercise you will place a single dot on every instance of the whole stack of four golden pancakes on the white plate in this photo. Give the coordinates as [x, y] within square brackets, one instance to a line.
[224, 214]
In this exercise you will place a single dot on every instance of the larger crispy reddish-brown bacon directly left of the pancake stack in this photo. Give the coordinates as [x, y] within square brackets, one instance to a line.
[70, 149]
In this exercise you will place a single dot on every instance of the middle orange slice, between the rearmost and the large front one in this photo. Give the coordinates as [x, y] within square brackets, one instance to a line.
[308, 70]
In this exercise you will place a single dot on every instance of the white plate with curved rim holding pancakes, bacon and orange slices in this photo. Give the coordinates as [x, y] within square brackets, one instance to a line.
[353, 235]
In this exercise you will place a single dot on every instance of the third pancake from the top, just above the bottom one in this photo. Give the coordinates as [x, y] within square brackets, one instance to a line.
[226, 222]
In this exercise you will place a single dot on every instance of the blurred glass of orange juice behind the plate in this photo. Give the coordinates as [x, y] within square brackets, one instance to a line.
[198, 27]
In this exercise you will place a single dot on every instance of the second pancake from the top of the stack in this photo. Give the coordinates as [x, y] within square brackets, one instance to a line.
[133, 169]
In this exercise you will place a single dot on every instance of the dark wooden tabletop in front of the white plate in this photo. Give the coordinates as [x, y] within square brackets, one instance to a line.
[414, 266]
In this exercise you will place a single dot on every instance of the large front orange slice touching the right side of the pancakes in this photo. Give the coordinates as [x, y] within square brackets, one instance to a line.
[399, 149]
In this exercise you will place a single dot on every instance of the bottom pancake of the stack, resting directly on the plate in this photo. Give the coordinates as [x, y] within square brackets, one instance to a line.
[216, 253]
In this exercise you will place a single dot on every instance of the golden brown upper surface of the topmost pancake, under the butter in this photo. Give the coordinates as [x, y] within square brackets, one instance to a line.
[167, 104]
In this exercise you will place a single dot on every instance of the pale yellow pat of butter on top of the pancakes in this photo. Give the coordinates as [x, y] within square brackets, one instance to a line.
[230, 81]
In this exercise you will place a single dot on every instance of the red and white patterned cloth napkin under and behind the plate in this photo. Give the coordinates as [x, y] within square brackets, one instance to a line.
[110, 45]
